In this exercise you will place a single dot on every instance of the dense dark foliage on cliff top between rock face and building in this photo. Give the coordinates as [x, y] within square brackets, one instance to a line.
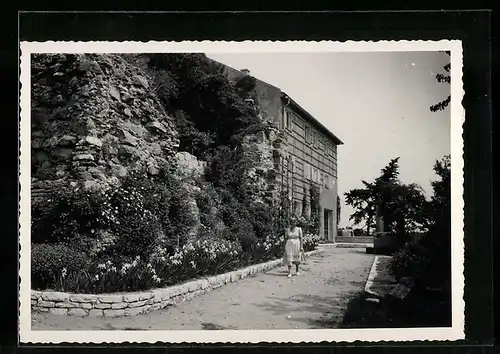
[211, 111]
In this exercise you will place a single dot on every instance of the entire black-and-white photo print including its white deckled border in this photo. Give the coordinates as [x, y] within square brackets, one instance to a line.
[193, 192]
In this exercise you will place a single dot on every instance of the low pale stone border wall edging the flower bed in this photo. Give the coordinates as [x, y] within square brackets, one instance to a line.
[129, 304]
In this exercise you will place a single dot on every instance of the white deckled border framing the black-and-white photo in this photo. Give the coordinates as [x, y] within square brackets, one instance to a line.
[455, 332]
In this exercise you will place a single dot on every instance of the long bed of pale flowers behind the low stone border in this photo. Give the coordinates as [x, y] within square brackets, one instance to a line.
[194, 260]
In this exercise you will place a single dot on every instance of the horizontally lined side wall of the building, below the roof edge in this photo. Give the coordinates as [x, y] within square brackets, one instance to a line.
[313, 154]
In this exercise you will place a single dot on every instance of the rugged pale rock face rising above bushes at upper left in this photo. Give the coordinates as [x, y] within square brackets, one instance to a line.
[94, 118]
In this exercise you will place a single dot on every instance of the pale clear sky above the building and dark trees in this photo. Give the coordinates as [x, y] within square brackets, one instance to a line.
[377, 103]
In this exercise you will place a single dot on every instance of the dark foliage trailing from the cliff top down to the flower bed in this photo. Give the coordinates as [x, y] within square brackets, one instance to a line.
[212, 116]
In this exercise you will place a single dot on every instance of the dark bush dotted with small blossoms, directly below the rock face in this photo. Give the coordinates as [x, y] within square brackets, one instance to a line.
[129, 220]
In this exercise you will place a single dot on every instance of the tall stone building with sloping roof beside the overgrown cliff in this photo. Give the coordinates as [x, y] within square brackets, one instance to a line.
[304, 153]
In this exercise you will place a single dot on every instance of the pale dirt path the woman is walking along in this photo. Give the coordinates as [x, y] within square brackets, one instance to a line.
[317, 298]
